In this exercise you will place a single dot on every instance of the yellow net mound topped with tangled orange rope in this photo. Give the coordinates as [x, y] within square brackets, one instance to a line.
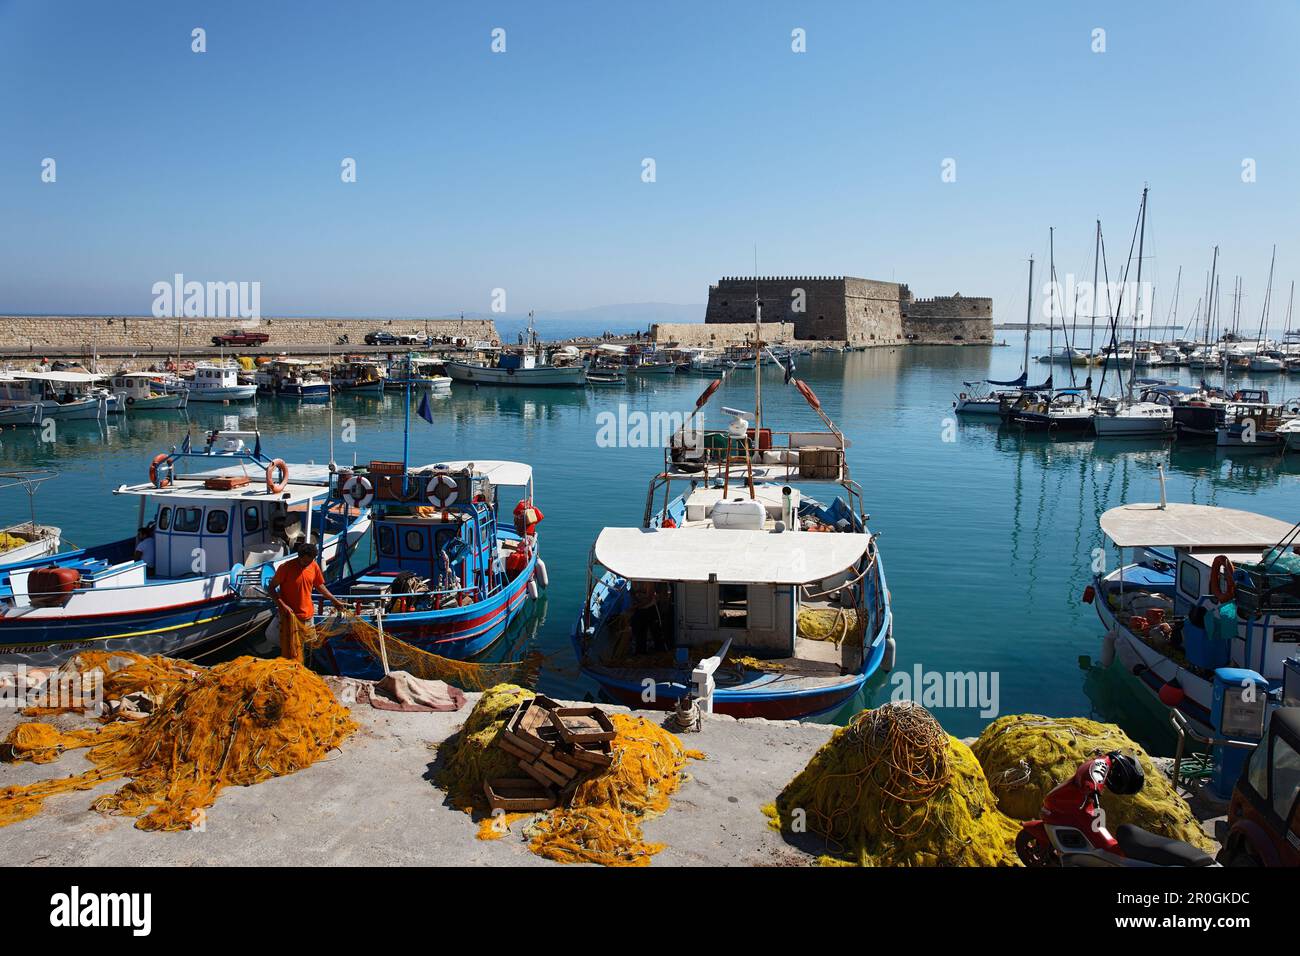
[894, 790]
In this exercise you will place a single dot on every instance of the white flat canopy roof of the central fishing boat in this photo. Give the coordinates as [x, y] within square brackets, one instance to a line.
[735, 557]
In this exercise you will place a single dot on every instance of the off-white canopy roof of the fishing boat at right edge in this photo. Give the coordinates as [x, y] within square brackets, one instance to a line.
[1191, 527]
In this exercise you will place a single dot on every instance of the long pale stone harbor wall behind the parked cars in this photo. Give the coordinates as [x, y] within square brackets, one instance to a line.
[29, 335]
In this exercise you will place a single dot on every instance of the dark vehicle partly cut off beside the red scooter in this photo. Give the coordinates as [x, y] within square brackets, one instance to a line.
[1264, 817]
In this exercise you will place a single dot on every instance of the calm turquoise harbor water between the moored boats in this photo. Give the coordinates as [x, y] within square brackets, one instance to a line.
[987, 535]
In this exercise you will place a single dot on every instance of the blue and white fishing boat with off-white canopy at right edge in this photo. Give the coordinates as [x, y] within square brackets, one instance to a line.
[1203, 589]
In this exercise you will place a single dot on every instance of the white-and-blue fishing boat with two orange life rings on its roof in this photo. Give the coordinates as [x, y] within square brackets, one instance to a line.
[220, 522]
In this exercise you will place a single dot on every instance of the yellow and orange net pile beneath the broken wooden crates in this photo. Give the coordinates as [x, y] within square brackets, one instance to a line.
[603, 820]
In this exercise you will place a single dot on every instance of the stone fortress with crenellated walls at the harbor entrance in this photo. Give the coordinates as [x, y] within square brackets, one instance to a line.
[837, 309]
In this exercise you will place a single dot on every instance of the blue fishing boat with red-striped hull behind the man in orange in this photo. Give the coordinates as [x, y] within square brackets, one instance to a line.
[454, 565]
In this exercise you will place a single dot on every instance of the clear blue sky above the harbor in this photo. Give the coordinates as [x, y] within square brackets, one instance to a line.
[523, 170]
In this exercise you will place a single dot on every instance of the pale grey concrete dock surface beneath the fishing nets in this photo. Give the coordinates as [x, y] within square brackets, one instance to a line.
[374, 803]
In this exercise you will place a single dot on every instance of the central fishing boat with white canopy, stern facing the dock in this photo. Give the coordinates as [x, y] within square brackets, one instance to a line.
[760, 599]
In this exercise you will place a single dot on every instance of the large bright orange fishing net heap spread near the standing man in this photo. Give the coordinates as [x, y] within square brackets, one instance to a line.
[237, 724]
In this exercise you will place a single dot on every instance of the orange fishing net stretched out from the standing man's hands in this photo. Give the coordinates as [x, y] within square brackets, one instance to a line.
[469, 676]
